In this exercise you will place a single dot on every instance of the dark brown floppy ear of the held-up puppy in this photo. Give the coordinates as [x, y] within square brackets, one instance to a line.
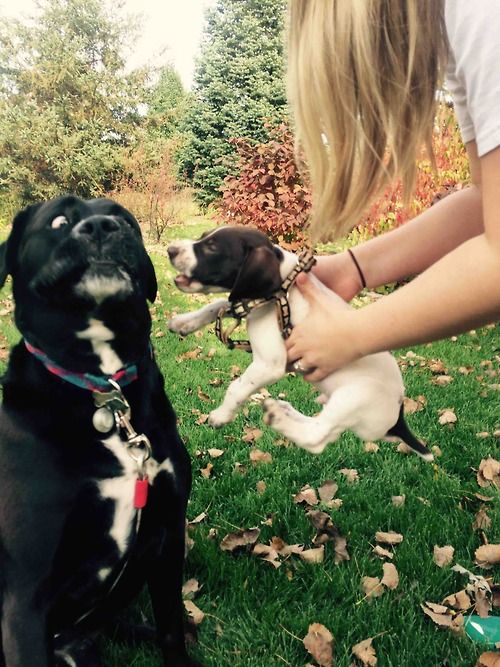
[259, 275]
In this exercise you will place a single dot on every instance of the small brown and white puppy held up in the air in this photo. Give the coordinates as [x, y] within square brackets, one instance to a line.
[365, 397]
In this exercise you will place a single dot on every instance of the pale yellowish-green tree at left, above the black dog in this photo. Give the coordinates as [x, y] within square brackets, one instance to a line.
[66, 108]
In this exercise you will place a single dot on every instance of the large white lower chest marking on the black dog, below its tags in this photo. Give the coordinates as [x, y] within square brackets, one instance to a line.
[121, 490]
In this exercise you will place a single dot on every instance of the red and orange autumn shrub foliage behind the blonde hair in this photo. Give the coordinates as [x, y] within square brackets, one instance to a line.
[270, 194]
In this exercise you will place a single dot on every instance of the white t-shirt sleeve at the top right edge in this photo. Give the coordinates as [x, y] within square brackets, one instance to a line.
[473, 75]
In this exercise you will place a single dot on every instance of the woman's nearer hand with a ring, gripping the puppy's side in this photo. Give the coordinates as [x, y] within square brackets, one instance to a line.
[327, 339]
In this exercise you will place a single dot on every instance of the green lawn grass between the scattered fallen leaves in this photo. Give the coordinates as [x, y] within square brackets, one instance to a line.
[256, 615]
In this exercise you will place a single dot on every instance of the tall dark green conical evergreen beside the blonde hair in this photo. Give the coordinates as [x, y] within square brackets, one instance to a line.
[239, 89]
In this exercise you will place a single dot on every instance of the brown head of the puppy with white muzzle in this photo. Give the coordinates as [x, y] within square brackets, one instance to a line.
[236, 259]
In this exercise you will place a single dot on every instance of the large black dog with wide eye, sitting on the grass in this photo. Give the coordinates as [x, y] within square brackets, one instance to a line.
[86, 431]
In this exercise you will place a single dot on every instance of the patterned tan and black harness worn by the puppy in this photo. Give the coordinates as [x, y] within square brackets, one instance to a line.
[239, 310]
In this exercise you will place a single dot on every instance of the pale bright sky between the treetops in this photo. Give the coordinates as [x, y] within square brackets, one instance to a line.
[171, 27]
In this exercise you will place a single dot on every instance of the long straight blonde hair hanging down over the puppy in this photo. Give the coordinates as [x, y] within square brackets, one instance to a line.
[362, 82]
